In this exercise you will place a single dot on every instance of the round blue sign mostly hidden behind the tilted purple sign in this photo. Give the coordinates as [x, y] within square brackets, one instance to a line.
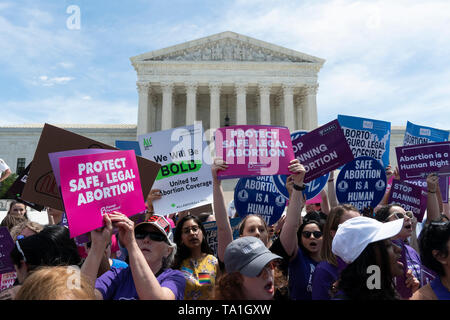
[313, 188]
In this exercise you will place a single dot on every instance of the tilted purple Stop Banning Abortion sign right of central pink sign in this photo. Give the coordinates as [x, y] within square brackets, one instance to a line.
[322, 150]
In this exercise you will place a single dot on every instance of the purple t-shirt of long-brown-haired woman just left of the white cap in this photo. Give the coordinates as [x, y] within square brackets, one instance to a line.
[324, 276]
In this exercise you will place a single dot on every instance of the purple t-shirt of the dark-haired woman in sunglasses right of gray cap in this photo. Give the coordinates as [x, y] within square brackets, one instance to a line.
[301, 271]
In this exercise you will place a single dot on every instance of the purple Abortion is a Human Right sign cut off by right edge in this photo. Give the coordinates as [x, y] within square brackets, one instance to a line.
[417, 161]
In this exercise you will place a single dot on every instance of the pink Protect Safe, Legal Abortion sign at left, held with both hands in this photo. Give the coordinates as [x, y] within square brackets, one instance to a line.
[96, 184]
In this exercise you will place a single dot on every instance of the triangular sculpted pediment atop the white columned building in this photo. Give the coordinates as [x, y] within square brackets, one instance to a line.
[227, 46]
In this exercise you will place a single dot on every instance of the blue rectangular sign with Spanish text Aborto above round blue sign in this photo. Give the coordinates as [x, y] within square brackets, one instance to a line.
[367, 137]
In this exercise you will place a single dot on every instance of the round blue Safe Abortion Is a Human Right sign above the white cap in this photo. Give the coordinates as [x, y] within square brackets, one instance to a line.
[361, 183]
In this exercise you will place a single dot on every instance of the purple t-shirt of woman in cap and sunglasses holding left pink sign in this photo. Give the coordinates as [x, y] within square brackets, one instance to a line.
[118, 284]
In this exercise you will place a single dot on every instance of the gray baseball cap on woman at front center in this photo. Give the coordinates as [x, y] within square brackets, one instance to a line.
[248, 256]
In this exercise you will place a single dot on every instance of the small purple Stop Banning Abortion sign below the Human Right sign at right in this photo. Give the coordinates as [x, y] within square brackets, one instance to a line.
[410, 197]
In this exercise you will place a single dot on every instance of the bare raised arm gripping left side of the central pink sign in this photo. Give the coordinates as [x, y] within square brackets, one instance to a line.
[224, 231]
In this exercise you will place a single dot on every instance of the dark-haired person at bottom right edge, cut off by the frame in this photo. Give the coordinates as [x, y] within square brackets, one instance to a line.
[434, 242]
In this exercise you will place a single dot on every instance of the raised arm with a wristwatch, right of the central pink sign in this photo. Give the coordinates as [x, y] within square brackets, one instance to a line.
[288, 236]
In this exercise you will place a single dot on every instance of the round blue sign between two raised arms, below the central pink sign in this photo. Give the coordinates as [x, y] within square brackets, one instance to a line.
[258, 195]
